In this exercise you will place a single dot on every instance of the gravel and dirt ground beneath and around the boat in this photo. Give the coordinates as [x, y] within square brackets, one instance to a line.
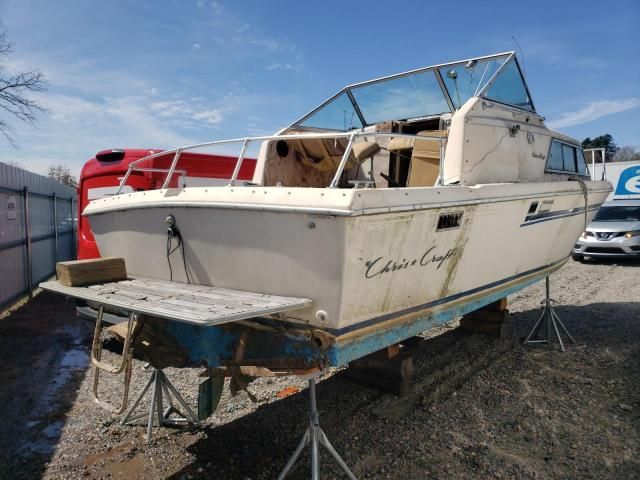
[481, 407]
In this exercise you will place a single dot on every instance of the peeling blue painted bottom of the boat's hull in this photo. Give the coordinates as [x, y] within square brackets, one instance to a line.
[276, 346]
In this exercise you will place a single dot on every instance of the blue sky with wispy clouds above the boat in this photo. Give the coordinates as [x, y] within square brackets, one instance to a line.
[162, 73]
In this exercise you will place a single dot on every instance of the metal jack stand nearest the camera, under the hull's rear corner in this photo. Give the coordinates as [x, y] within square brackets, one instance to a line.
[316, 437]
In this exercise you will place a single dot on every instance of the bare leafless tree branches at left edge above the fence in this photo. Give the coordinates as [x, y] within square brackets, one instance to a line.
[15, 89]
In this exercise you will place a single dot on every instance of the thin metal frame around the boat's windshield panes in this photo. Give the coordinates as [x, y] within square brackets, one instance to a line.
[348, 91]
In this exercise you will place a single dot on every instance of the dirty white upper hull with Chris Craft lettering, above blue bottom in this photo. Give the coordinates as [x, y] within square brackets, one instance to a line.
[364, 257]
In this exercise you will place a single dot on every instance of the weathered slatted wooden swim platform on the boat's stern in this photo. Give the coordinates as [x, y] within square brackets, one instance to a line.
[196, 304]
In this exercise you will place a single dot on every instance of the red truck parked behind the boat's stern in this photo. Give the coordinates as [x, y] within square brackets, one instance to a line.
[102, 174]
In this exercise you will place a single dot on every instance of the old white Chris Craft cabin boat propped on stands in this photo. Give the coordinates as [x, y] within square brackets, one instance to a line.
[396, 205]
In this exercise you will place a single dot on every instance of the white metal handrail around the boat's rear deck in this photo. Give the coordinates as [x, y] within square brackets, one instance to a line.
[352, 136]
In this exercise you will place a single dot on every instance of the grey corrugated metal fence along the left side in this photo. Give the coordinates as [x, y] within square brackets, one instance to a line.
[31, 253]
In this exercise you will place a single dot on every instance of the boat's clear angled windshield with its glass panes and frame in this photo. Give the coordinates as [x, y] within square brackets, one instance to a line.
[425, 92]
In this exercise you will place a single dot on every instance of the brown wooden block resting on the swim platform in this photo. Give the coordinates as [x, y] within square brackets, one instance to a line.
[76, 273]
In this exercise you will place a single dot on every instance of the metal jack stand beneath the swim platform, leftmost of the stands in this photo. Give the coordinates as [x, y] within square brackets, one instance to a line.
[157, 411]
